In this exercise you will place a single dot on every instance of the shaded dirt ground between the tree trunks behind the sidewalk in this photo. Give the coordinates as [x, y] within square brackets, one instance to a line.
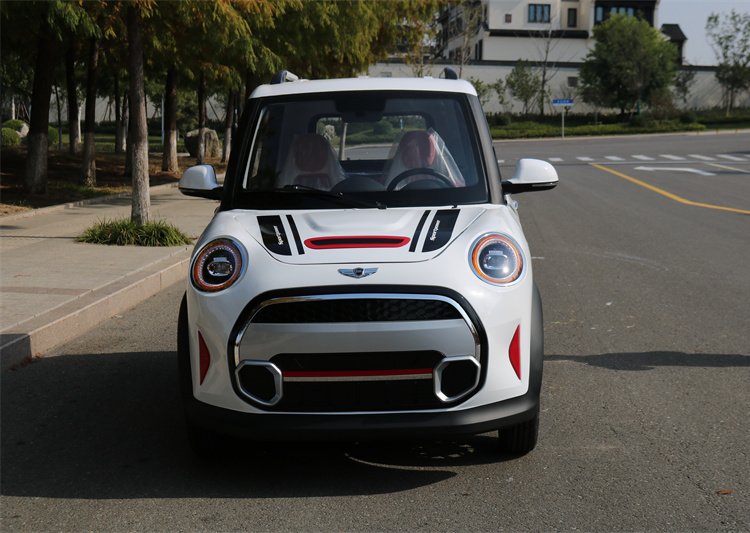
[63, 178]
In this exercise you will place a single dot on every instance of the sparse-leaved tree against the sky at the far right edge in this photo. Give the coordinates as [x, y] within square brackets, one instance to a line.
[730, 38]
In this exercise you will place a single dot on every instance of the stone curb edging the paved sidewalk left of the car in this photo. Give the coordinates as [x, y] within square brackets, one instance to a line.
[38, 335]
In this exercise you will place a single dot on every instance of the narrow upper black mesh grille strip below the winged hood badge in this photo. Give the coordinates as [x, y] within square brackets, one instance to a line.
[356, 310]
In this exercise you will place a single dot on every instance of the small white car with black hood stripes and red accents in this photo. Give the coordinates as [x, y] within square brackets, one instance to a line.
[365, 275]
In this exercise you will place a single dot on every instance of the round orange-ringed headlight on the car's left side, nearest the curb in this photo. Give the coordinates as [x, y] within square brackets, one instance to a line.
[217, 266]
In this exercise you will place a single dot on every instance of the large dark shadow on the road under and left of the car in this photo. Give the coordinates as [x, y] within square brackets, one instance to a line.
[110, 426]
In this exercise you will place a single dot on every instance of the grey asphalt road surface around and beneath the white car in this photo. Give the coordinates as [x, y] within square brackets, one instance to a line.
[646, 397]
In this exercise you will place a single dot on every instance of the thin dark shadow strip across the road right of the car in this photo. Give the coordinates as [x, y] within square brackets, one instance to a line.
[651, 360]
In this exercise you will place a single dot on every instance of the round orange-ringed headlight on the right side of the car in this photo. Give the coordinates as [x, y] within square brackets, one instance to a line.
[496, 259]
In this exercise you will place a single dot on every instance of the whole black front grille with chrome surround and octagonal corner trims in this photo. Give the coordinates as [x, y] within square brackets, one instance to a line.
[423, 353]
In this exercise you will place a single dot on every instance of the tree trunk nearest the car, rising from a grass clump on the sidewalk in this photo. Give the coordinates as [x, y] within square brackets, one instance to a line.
[139, 131]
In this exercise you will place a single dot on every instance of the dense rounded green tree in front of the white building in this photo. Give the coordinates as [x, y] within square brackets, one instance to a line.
[630, 62]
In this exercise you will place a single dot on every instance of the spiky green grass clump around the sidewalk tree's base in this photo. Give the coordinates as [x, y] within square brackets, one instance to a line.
[121, 232]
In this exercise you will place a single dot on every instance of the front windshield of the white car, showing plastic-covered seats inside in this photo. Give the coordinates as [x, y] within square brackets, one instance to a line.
[363, 149]
